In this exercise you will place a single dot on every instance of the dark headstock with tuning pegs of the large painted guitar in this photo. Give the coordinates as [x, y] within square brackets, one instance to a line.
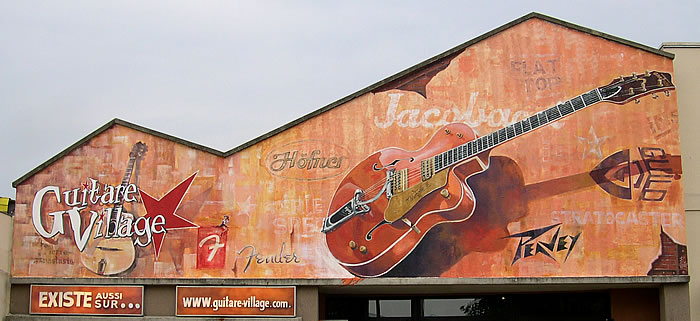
[626, 88]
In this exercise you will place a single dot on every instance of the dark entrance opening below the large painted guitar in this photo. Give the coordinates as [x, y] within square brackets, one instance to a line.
[586, 306]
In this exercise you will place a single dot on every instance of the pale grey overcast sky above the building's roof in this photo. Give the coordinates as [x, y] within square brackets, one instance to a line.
[220, 73]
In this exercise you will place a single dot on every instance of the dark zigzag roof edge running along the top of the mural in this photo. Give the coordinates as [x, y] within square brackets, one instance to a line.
[339, 102]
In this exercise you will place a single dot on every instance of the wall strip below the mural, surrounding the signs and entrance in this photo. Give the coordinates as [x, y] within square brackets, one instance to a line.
[662, 298]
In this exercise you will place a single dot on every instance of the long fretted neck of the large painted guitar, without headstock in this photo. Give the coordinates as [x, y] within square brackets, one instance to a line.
[448, 158]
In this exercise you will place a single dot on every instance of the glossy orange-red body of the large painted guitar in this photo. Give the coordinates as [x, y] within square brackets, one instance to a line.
[372, 243]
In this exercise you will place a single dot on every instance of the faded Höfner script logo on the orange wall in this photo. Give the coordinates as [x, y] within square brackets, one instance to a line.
[308, 160]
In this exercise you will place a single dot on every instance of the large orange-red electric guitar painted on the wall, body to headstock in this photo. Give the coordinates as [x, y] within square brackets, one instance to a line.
[387, 203]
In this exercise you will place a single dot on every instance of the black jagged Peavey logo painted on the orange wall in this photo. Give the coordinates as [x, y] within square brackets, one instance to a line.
[530, 242]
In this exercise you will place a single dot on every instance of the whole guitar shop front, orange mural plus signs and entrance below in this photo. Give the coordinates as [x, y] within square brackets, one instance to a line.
[532, 173]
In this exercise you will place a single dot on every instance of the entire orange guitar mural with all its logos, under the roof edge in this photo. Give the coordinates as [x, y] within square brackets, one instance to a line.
[540, 151]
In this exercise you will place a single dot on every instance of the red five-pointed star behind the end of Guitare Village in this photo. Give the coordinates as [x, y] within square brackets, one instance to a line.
[166, 206]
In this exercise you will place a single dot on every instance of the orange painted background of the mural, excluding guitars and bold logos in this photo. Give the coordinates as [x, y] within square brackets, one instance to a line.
[493, 83]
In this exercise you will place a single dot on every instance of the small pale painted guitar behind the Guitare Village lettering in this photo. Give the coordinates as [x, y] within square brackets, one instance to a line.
[109, 254]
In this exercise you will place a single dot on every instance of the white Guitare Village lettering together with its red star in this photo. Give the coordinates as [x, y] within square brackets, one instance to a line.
[112, 221]
